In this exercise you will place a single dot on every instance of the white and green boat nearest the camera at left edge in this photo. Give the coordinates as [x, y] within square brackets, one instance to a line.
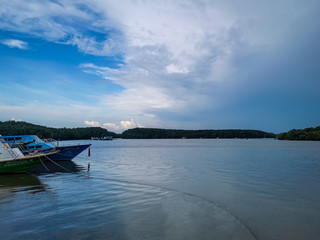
[12, 160]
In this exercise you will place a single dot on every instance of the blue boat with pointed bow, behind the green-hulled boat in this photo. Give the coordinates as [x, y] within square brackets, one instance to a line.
[32, 143]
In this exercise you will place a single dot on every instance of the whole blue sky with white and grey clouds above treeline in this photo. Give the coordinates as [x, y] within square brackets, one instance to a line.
[176, 64]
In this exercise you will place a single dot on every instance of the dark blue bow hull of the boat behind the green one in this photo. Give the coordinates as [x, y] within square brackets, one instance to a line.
[69, 152]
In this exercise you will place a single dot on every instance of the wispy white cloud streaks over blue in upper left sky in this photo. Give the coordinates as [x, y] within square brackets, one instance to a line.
[78, 24]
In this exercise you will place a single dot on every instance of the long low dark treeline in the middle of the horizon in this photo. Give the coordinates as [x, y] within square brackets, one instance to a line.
[148, 133]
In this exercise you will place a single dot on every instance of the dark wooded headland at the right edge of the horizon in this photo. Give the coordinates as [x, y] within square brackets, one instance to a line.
[301, 134]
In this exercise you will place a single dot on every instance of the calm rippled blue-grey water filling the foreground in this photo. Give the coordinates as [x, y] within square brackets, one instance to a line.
[170, 189]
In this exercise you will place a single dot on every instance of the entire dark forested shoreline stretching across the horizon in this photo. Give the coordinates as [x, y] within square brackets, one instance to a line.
[24, 128]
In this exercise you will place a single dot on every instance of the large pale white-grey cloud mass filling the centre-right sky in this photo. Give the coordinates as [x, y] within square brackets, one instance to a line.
[185, 57]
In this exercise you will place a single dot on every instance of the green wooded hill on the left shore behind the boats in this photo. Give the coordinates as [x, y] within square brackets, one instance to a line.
[23, 128]
